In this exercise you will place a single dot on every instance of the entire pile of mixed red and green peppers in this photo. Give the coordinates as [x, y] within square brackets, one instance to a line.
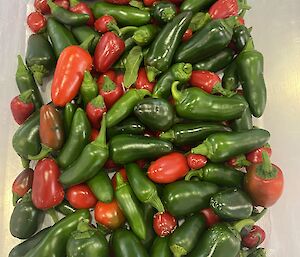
[149, 126]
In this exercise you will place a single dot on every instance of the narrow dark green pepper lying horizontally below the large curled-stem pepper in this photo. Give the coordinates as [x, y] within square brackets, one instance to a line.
[191, 133]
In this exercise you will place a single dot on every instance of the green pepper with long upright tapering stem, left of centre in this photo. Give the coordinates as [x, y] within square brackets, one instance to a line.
[89, 162]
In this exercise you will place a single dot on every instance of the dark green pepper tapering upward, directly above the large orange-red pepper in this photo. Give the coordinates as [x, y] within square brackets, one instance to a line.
[60, 36]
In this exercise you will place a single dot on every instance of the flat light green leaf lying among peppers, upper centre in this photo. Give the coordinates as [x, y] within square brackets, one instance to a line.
[132, 65]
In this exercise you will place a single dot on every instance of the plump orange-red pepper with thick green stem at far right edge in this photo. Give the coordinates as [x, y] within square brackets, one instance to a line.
[264, 182]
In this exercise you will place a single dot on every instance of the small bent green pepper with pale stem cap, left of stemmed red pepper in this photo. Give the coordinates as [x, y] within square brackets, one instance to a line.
[178, 72]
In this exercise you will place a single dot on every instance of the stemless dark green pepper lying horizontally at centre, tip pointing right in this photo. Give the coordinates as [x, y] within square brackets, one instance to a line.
[130, 148]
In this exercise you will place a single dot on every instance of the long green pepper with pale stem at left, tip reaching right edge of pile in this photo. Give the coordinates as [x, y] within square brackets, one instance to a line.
[220, 147]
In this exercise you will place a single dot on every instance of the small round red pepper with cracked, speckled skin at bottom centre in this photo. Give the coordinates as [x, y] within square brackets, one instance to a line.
[164, 224]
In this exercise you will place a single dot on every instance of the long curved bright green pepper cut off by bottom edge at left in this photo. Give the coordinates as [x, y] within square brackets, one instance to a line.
[56, 239]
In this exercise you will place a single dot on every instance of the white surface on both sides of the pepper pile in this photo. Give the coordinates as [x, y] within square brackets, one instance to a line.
[276, 32]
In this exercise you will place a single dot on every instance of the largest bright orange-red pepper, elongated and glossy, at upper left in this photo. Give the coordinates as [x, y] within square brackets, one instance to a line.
[69, 73]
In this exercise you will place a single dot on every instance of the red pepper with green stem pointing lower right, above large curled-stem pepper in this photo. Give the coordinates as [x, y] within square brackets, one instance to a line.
[209, 82]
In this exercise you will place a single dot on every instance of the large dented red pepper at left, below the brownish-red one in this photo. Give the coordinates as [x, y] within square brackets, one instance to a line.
[47, 192]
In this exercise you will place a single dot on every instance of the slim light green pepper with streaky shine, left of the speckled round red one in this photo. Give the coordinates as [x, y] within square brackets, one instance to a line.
[130, 207]
